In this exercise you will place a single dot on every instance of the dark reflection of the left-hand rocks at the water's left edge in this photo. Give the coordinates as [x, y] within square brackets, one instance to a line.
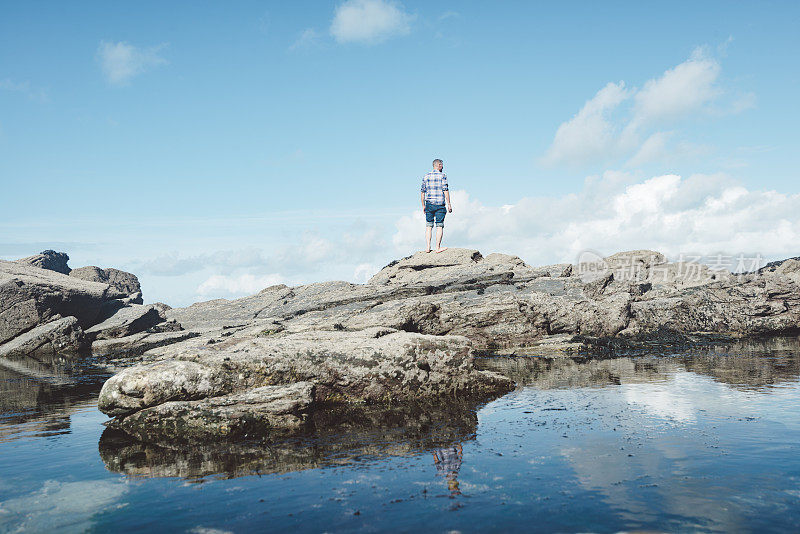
[38, 394]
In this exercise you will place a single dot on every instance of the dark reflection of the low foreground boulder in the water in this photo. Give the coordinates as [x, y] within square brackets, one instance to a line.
[340, 436]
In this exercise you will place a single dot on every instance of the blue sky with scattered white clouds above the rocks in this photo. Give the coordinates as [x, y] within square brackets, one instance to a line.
[214, 149]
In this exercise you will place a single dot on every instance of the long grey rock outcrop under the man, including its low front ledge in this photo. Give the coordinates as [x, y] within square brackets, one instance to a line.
[412, 331]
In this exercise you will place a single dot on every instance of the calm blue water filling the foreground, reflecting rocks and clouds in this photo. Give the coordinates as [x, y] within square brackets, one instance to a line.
[705, 440]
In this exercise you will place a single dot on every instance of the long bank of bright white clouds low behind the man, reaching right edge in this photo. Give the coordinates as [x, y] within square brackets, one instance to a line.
[699, 215]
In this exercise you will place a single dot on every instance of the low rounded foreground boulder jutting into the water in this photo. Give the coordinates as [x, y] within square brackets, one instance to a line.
[374, 365]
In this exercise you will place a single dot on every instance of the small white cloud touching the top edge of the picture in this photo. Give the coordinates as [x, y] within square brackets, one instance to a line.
[369, 21]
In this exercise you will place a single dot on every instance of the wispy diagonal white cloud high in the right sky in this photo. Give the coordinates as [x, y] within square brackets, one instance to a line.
[620, 124]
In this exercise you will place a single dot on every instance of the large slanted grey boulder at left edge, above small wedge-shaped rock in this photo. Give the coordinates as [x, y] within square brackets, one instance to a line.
[30, 296]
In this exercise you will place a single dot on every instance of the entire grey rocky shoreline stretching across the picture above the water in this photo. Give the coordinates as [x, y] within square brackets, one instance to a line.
[267, 363]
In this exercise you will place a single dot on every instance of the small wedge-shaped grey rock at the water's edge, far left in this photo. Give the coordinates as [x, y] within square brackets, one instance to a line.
[58, 336]
